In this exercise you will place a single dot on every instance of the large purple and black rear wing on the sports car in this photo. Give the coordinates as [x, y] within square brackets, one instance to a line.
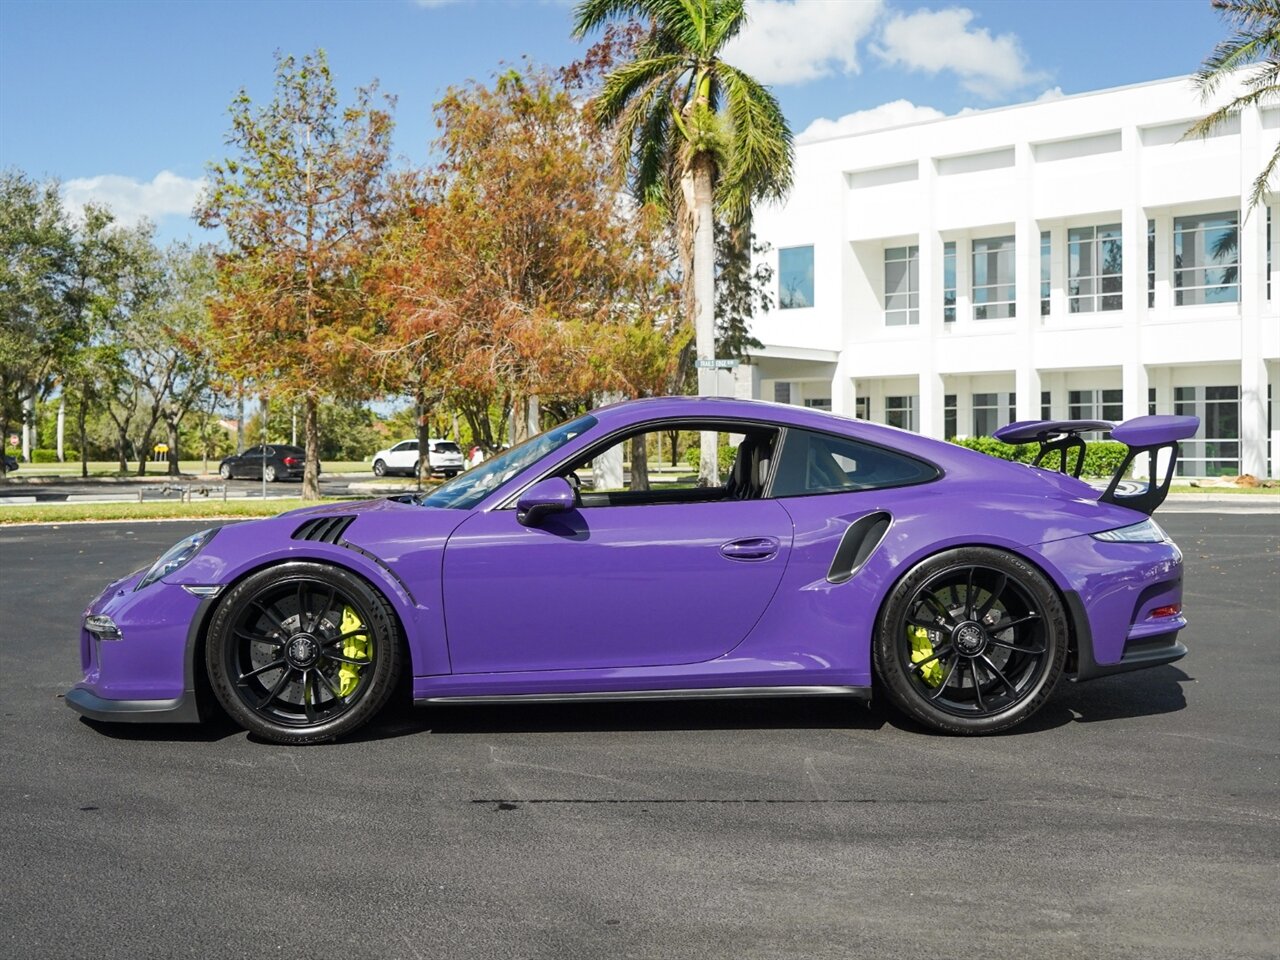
[1141, 436]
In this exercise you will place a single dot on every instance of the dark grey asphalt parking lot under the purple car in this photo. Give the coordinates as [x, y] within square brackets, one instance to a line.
[1133, 817]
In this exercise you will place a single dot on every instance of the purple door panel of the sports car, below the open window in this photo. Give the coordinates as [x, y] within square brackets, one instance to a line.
[611, 587]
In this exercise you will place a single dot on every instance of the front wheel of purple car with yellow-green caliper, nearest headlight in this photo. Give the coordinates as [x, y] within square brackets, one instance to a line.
[285, 662]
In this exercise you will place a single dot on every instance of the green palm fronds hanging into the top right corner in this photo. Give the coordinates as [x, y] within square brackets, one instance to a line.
[1255, 43]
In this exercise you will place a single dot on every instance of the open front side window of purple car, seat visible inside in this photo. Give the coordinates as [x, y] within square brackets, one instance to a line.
[661, 467]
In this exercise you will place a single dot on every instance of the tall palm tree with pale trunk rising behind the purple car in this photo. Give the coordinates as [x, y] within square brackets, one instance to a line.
[698, 136]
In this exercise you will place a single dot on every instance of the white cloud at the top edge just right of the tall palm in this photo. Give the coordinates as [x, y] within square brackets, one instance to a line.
[797, 42]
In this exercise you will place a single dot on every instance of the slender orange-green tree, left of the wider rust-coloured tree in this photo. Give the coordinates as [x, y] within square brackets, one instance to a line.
[303, 205]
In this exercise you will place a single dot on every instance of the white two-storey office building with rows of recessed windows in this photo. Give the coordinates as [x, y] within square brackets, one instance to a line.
[1071, 258]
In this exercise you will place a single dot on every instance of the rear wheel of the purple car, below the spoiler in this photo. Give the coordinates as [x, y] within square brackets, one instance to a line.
[943, 656]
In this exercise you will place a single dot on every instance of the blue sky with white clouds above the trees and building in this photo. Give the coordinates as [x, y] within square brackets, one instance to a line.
[126, 103]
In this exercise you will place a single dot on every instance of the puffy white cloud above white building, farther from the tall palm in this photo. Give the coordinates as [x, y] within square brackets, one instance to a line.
[934, 42]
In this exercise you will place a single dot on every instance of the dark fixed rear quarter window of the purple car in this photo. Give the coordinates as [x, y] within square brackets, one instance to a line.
[813, 463]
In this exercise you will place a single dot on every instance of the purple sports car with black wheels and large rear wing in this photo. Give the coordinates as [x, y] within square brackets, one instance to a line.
[834, 552]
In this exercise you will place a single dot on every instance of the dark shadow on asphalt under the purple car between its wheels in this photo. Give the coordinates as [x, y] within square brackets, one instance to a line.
[783, 714]
